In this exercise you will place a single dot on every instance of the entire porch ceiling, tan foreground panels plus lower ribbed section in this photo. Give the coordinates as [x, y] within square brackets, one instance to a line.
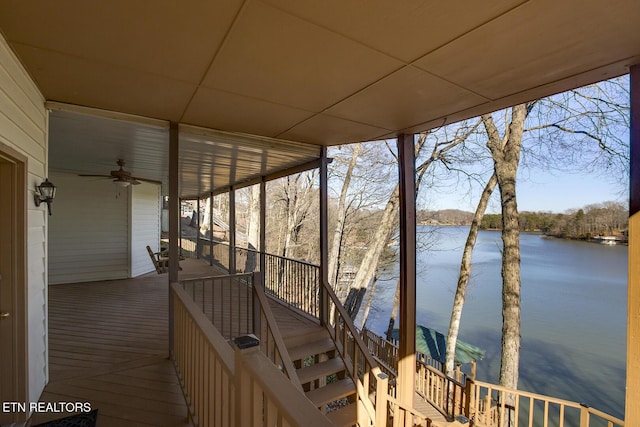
[297, 72]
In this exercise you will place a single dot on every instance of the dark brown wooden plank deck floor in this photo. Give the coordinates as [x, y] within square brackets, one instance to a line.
[108, 345]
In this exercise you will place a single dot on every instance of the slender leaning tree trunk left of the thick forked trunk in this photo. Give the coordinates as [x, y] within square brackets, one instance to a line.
[465, 273]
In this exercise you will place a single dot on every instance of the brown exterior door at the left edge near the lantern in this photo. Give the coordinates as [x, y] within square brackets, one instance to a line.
[13, 376]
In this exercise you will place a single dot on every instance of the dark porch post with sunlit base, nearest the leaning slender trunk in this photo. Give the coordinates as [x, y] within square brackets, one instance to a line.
[407, 199]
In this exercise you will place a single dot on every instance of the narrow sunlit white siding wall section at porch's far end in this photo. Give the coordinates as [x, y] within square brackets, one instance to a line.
[145, 226]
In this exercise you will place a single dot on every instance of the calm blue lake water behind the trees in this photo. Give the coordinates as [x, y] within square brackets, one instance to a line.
[574, 310]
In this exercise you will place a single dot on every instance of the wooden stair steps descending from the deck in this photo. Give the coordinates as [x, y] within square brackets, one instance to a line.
[322, 373]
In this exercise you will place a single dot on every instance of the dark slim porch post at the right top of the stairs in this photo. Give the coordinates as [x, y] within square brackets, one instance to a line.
[323, 308]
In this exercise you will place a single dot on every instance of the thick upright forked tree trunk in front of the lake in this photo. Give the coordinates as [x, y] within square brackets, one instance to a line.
[506, 156]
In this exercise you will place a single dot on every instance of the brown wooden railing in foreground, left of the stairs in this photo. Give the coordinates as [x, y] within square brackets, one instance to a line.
[226, 389]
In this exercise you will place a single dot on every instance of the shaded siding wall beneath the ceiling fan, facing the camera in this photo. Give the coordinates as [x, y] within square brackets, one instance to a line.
[89, 230]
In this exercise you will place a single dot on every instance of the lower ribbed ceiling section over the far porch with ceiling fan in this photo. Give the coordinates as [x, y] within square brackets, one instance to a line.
[90, 142]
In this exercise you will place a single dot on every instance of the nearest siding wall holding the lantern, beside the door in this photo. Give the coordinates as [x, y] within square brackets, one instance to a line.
[23, 127]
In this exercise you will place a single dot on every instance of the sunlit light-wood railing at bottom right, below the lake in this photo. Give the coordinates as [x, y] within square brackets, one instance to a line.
[488, 409]
